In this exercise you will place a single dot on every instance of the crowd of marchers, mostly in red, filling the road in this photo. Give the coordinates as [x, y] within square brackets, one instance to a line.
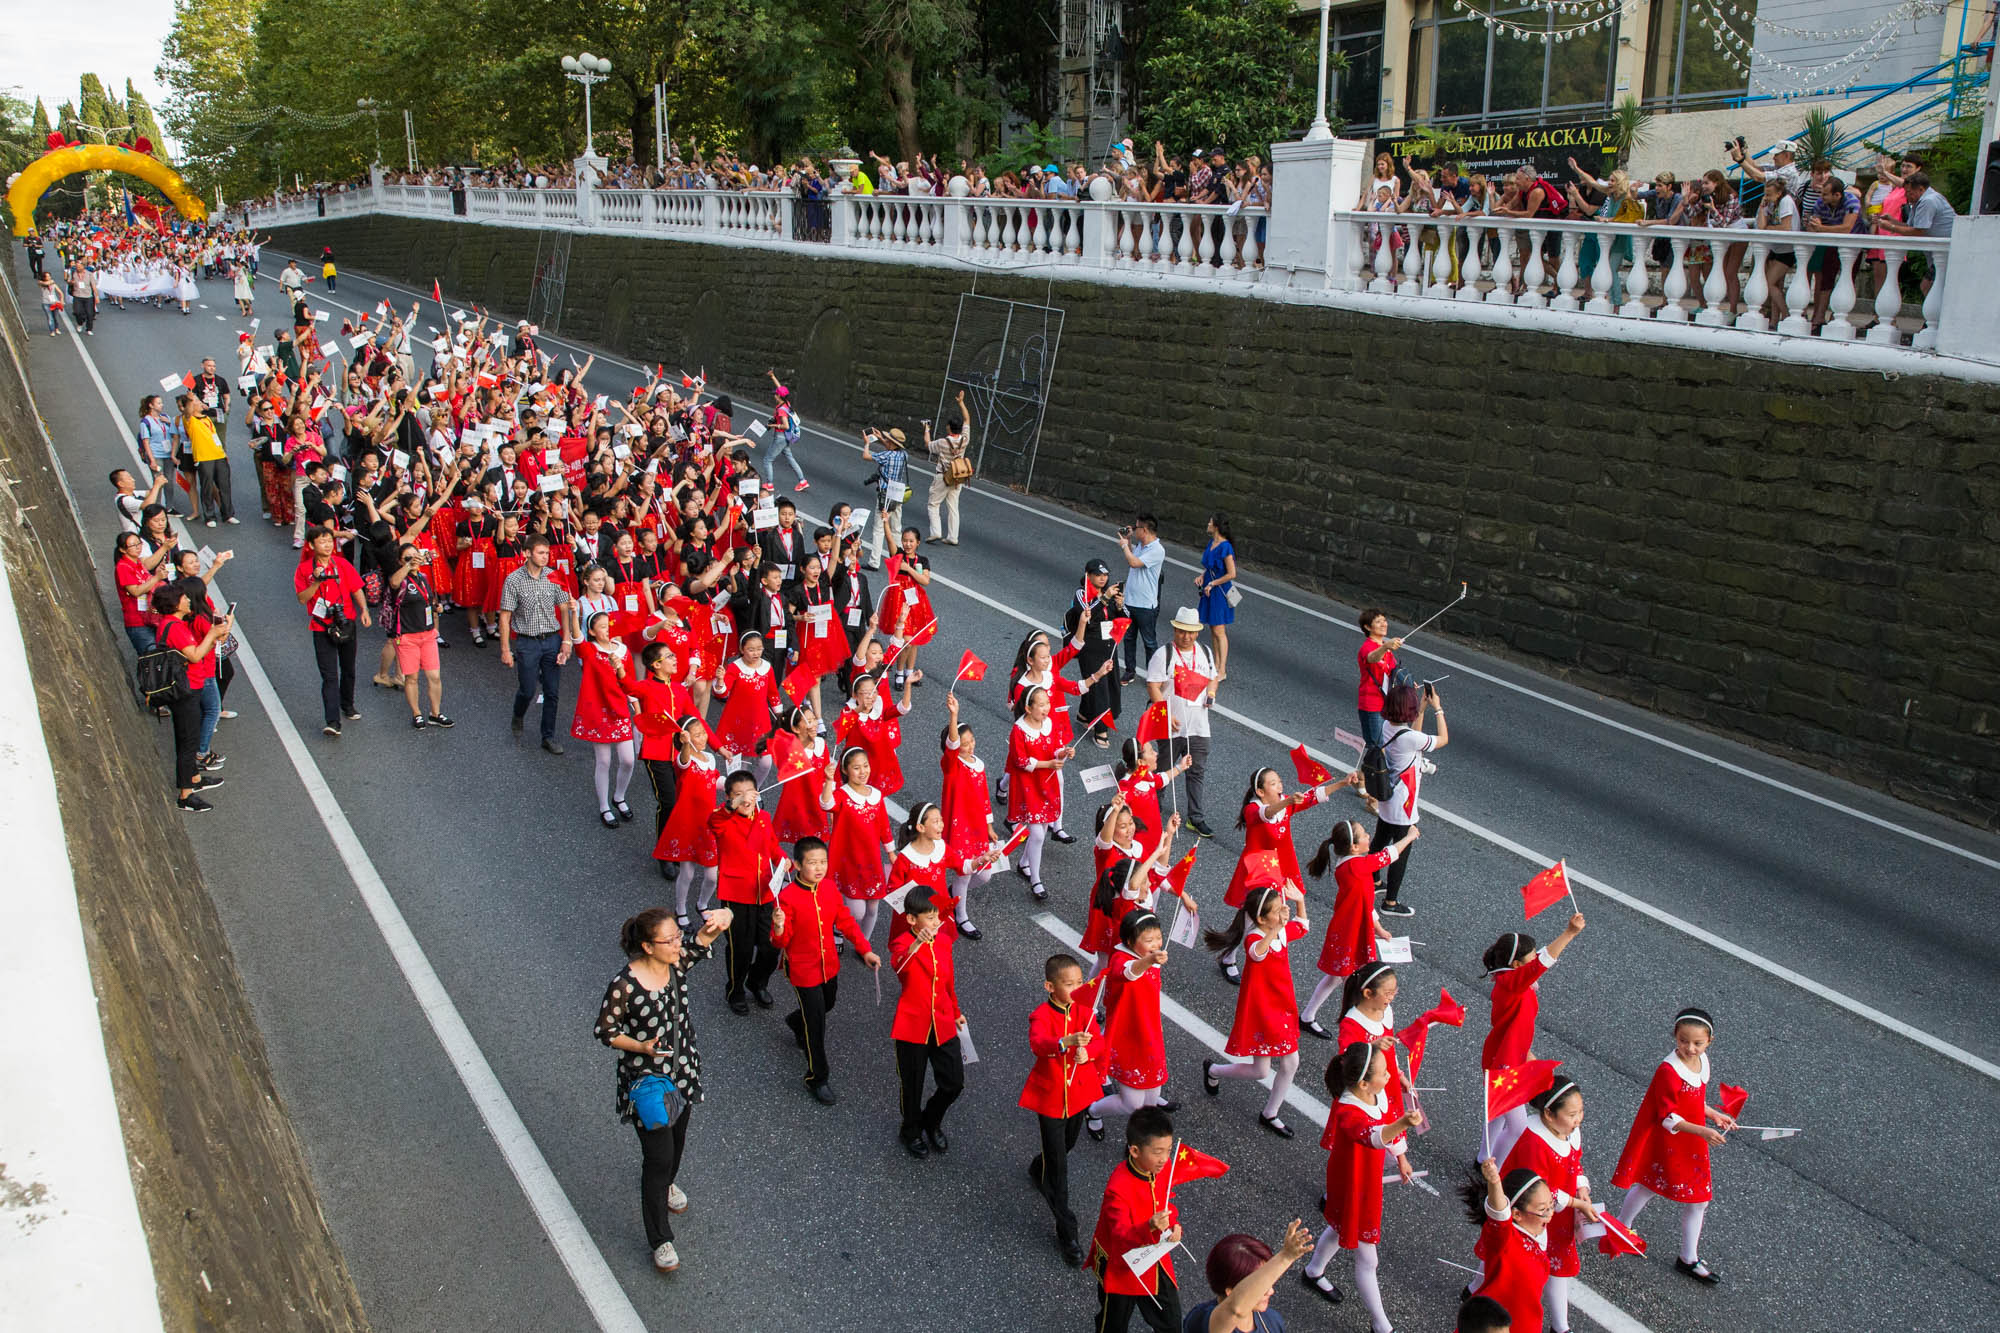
[635, 563]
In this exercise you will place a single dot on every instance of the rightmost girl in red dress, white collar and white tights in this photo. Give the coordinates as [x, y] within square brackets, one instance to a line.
[1667, 1152]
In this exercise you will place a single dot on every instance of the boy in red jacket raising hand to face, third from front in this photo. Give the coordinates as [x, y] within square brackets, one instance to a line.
[927, 1024]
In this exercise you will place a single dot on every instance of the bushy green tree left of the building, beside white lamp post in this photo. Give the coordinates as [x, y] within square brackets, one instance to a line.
[1229, 73]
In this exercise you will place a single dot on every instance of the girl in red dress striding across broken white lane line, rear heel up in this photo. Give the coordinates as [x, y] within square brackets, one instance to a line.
[1265, 1036]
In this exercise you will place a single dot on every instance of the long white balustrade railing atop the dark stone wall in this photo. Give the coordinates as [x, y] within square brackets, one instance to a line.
[1787, 285]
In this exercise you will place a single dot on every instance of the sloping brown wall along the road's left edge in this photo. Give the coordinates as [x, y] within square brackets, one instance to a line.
[229, 1208]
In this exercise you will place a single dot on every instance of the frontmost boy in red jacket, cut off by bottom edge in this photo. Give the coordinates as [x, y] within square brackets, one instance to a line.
[1139, 1210]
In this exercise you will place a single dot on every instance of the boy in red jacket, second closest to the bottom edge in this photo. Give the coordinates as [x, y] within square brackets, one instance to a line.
[1065, 1080]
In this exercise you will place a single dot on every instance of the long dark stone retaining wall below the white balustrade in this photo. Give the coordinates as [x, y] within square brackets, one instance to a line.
[1791, 555]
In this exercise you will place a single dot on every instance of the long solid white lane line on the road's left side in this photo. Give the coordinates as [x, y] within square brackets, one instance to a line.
[581, 1256]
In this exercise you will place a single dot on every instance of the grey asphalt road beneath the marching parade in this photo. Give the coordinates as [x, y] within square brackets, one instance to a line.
[1845, 944]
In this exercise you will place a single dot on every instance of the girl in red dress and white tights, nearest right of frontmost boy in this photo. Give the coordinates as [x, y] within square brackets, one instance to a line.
[1361, 1134]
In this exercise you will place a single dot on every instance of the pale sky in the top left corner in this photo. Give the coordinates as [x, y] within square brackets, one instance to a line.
[117, 41]
